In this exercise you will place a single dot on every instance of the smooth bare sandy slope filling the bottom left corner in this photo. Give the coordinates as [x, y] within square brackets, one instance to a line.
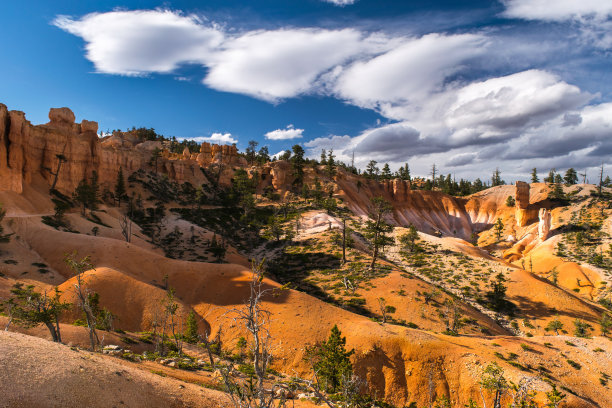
[39, 373]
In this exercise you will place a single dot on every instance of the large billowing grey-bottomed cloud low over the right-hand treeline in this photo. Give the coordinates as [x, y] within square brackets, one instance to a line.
[472, 125]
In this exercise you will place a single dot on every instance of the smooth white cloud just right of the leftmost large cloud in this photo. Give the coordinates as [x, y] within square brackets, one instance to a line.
[273, 65]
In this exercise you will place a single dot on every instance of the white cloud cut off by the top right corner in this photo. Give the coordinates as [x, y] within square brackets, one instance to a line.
[558, 10]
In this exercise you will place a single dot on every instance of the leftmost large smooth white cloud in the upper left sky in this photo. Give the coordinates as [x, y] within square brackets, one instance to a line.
[140, 42]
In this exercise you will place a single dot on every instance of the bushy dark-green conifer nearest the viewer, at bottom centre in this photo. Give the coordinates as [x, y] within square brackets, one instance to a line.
[331, 361]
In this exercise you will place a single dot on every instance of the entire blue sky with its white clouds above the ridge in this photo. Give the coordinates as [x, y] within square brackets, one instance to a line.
[470, 86]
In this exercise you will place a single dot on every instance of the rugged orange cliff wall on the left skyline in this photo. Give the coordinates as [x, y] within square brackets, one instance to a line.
[28, 151]
